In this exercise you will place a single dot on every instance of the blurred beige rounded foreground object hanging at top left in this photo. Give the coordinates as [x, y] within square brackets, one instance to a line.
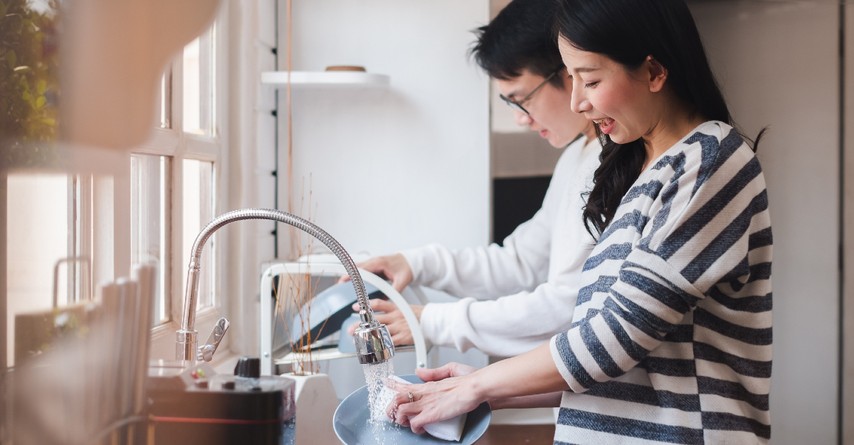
[113, 56]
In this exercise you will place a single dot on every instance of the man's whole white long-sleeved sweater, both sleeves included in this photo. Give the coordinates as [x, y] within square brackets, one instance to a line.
[527, 287]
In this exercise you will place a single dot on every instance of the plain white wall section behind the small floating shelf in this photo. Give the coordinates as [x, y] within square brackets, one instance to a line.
[400, 167]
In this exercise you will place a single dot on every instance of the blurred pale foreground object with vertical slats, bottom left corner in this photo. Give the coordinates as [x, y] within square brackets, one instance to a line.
[84, 382]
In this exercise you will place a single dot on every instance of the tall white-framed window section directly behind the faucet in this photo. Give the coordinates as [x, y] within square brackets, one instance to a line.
[174, 187]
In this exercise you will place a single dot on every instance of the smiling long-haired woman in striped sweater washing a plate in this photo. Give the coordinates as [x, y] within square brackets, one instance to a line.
[671, 333]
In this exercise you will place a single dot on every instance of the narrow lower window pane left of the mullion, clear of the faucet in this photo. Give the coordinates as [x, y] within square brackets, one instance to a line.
[150, 185]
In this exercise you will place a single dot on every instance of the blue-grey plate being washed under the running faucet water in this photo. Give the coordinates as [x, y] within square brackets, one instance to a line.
[353, 426]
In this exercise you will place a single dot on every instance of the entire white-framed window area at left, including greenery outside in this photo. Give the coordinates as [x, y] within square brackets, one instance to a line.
[66, 232]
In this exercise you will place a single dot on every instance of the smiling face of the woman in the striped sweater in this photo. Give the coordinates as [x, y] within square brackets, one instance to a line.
[619, 101]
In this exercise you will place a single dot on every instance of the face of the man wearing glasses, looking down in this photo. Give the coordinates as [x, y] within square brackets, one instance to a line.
[549, 112]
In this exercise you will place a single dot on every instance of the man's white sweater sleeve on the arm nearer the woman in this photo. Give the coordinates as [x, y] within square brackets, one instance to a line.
[518, 322]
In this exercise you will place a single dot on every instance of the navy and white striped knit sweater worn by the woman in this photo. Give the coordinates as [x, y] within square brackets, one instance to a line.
[671, 334]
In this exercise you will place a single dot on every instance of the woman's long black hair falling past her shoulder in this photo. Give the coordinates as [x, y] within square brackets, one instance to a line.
[627, 31]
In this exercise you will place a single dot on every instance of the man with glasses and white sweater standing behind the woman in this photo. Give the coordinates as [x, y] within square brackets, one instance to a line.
[516, 296]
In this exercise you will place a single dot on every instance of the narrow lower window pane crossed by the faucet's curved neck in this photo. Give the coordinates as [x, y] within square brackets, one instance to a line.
[198, 212]
